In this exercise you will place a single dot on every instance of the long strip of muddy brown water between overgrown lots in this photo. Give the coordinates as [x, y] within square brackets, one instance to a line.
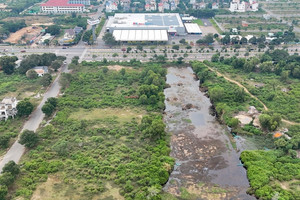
[206, 164]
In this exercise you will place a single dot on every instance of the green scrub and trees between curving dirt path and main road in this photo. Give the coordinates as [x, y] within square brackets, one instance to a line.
[273, 78]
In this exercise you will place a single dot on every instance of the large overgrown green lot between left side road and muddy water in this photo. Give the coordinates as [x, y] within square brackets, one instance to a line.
[109, 153]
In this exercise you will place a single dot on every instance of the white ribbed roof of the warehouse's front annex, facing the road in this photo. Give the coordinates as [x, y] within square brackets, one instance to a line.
[140, 35]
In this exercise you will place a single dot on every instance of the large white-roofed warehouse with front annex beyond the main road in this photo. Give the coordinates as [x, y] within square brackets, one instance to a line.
[145, 26]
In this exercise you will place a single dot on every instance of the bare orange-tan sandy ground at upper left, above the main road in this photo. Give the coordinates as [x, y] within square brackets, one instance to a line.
[29, 33]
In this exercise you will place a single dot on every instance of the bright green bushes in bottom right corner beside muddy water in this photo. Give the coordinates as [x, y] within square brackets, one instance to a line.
[268, 170]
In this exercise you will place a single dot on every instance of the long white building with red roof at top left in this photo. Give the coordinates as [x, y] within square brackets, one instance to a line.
[61, 6]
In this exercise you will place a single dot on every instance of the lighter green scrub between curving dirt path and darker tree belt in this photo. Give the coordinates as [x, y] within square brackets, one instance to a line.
[280, 96]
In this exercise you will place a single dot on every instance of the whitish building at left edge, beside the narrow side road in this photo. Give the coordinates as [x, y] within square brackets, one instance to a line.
[8, 108]
